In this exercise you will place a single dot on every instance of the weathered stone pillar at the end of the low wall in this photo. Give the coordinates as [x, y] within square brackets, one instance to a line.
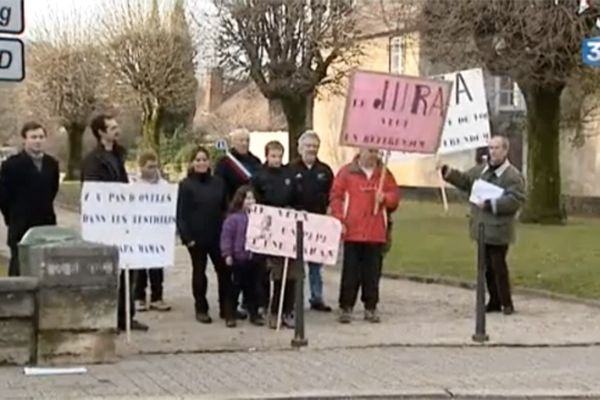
[78, 300]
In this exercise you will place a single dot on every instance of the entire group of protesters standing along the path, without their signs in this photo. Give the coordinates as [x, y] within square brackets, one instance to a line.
[213, 213]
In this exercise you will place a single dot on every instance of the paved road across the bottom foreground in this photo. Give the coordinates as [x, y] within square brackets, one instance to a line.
[392, 371]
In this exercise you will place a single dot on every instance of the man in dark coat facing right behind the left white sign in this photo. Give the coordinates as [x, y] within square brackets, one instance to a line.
[106, 163]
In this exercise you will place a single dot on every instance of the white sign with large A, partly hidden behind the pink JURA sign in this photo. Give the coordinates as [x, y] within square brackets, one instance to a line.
[467, 125]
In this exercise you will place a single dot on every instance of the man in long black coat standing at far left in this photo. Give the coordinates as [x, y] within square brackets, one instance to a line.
[28, 185]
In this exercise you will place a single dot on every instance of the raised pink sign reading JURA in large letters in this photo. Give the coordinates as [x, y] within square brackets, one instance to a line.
[394, 112]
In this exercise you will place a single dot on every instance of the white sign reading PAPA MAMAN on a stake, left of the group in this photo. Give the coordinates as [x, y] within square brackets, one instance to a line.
[138, 218]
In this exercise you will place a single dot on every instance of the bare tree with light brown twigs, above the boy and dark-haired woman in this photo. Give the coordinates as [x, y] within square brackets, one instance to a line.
[151, 52]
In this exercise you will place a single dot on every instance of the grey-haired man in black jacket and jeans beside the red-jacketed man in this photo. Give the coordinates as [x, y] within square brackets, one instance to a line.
[313, 180]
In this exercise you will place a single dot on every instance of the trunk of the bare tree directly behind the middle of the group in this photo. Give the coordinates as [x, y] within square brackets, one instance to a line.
[298, 117]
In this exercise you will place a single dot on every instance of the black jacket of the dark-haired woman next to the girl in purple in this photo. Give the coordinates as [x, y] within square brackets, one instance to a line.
[201, 208]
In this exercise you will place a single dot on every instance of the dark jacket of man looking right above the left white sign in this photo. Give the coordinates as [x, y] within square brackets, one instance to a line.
[104, 166]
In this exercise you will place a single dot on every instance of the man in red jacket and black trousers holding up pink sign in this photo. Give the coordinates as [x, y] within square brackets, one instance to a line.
[354, 196]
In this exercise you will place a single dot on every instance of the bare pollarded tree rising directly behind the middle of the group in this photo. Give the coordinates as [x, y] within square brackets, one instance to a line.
[289, 48]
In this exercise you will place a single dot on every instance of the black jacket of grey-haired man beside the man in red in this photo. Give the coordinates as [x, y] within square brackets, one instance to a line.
[312, 186]
